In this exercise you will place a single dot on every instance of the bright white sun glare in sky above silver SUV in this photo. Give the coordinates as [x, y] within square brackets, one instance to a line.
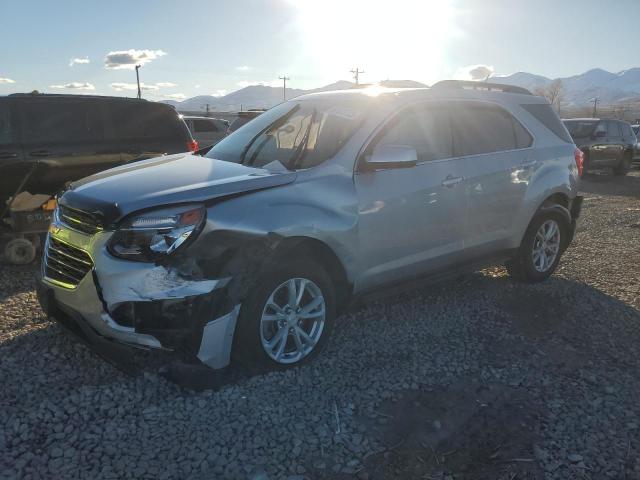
[404, 39]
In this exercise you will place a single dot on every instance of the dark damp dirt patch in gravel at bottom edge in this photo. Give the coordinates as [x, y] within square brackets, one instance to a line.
[470, 432]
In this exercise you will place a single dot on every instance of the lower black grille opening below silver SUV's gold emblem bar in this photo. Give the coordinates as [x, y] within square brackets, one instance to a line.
[65, 263]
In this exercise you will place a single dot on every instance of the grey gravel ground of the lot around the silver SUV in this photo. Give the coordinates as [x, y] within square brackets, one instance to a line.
[477, 378]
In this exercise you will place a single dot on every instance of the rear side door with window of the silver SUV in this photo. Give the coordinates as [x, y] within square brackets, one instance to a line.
[495, 160]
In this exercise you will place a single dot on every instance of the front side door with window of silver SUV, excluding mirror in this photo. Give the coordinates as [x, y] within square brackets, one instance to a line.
[411, 220]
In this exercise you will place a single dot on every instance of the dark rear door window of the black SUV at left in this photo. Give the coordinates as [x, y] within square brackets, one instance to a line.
[55, 121]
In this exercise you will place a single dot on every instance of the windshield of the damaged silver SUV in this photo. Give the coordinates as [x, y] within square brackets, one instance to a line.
[293, 135]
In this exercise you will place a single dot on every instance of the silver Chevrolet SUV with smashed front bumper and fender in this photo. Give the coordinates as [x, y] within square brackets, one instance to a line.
[251, 251]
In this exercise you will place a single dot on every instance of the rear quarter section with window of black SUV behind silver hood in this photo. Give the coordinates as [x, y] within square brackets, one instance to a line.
[146, 129]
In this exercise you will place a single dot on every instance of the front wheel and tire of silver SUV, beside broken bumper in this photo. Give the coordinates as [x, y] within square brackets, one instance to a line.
[254, 332]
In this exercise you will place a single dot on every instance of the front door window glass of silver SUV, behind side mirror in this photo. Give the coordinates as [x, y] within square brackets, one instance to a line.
[427, 129]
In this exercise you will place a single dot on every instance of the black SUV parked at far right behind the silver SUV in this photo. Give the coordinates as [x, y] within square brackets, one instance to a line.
[605, 143]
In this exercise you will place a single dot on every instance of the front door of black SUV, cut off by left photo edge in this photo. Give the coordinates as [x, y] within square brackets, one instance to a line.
[12, 166]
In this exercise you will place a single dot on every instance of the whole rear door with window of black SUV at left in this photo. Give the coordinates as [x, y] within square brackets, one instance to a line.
[64, 140]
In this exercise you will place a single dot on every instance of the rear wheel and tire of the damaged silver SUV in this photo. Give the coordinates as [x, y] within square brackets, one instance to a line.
[526, 266]
